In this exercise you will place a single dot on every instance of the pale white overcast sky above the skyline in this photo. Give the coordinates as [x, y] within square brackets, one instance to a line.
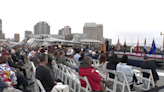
[123, 19]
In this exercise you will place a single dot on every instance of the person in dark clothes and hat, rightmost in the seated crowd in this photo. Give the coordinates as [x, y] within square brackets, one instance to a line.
[149, 65]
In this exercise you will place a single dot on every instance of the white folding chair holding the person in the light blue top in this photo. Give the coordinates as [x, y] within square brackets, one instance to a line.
[122, 84]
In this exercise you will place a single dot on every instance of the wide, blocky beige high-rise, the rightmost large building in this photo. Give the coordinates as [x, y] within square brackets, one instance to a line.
[94, 31]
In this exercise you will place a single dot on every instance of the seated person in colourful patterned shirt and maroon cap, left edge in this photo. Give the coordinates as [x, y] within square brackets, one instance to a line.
[12, 75]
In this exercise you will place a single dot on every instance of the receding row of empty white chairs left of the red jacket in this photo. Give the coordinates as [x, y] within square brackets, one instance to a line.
[71, 78]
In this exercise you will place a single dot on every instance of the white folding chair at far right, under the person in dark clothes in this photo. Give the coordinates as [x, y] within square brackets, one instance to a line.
[147, 81]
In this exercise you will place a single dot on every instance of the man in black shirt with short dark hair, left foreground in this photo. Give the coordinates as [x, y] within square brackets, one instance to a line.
[43, 74]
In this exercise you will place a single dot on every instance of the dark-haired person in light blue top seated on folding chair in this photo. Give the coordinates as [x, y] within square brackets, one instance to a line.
[124, 68]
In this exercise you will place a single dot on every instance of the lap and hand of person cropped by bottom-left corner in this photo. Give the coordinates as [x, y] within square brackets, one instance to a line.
[7, 87]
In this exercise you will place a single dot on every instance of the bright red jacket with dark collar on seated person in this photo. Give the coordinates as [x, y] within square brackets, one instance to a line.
[93, 77]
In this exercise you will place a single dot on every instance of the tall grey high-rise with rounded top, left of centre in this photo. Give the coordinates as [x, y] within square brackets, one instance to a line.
[42, 28]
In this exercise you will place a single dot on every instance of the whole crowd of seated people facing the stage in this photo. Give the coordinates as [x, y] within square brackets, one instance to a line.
[13, 58]
